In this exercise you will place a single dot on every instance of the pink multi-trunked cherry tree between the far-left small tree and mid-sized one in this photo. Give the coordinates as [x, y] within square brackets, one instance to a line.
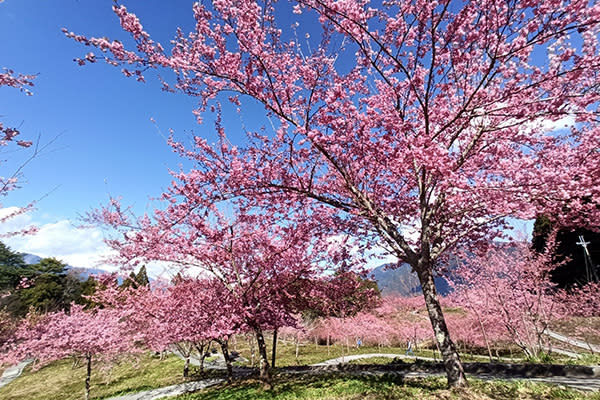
[186, 316]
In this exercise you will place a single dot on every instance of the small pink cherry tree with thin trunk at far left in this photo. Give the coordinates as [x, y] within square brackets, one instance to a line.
[95, 334]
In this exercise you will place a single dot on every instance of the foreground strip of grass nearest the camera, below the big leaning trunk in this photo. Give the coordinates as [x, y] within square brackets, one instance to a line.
[294, 387]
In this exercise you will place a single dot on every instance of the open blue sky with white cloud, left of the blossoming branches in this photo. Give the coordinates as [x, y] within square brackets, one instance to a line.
[99, 121]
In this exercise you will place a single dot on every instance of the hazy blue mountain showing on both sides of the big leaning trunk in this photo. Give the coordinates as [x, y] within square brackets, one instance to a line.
[402, 281]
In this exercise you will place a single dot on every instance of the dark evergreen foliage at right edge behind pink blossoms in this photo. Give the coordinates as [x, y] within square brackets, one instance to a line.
[569, 254]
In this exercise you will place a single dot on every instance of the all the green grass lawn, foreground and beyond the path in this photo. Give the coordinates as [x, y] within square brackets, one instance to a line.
[60, 381]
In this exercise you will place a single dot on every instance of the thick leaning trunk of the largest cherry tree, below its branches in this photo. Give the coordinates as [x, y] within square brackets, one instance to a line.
[451, 358]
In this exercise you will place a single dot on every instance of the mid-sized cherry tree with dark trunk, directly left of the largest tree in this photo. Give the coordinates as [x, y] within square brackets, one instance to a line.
[265, 267]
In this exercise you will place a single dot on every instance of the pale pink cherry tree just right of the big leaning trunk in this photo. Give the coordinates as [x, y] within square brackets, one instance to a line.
[509, 285]
